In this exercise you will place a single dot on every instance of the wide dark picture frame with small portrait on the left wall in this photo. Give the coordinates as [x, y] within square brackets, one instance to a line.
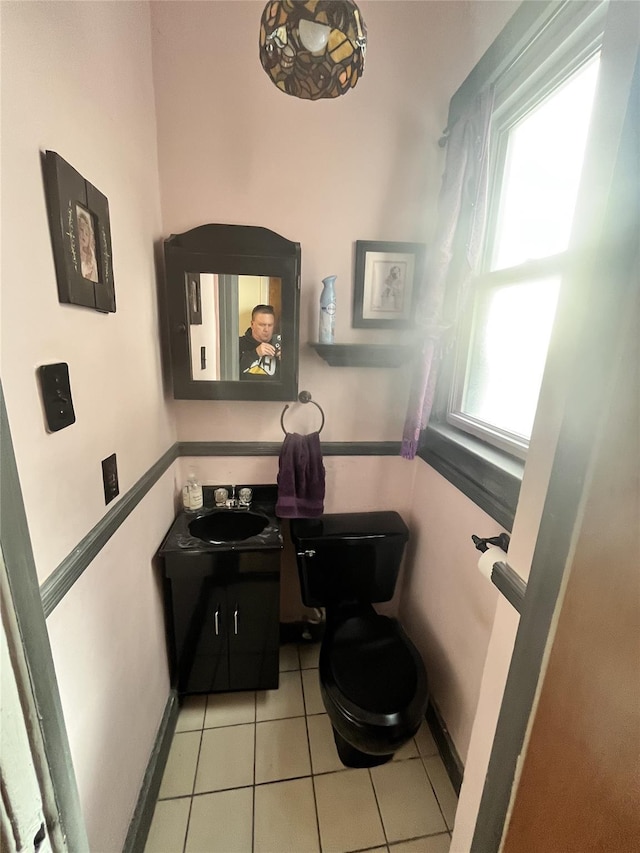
[80, 236]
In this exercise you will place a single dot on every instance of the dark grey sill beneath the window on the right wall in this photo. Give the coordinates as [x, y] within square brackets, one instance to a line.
[486, 475]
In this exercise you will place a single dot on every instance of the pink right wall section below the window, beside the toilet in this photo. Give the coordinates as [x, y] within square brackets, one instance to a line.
[446, 604]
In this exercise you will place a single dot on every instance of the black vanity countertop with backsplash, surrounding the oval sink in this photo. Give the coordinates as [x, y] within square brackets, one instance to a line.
[179, 539]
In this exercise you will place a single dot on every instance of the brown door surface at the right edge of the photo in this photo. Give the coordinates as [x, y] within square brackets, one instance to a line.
[582, 764]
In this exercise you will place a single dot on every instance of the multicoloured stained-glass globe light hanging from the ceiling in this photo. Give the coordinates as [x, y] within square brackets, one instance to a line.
[313, 48]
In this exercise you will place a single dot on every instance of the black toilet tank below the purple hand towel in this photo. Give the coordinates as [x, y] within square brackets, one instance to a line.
[352, 556]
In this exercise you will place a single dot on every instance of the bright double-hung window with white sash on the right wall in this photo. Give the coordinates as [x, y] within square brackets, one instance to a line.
[538, 162]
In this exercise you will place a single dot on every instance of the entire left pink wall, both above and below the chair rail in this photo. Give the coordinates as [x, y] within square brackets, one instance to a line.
[76, 79]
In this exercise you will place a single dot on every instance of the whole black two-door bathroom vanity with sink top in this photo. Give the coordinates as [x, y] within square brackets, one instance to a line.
[222, 597]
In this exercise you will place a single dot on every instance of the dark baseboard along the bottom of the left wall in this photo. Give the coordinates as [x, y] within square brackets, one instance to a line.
[143, 814]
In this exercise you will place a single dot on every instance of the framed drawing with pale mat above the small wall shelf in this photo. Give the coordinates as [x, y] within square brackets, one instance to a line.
[386, 284]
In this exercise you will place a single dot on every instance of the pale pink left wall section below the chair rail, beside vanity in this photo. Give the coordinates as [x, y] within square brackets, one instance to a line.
[108, 641]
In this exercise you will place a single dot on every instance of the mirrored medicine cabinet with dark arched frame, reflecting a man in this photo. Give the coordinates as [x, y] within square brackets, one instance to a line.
[232, 297]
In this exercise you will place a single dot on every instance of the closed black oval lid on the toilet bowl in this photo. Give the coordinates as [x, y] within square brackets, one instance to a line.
[372, 665]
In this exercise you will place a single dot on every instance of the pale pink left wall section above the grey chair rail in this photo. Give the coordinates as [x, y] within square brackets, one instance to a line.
[62, 89]
